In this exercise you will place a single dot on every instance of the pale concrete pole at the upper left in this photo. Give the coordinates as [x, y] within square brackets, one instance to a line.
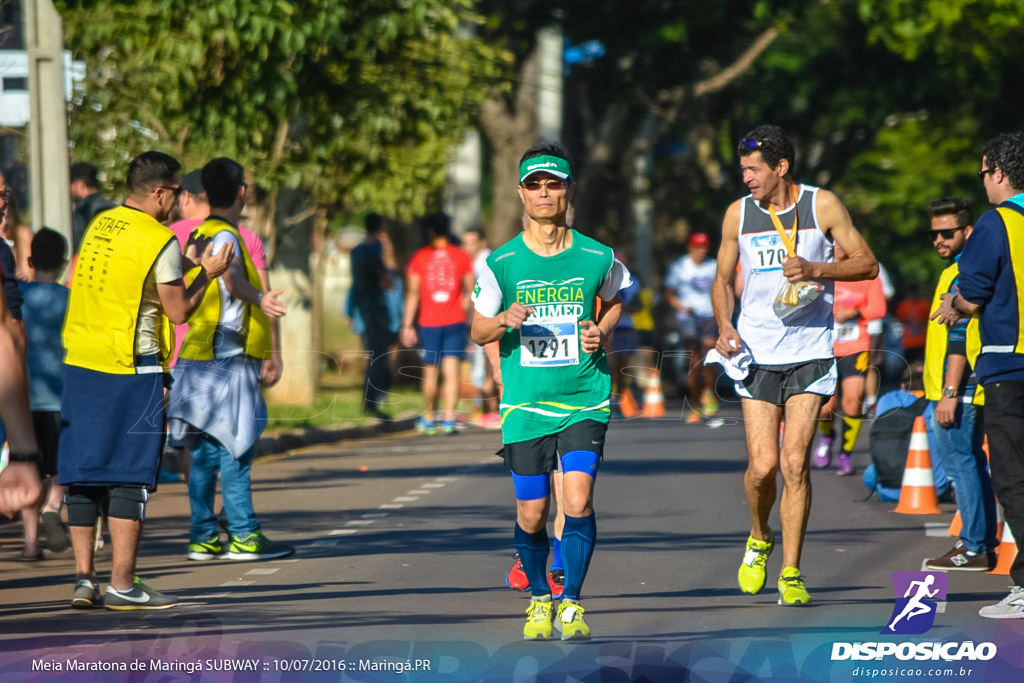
[49, 120]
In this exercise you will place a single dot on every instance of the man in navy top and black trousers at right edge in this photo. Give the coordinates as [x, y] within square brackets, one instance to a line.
[992, 274]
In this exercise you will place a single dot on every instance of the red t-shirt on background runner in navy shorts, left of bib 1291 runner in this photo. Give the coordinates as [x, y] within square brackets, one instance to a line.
[442, 273]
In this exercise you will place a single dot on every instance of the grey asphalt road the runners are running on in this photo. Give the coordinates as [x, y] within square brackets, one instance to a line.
[403, 544]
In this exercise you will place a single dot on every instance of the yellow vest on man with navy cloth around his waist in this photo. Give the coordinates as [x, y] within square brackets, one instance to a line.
[118, 254]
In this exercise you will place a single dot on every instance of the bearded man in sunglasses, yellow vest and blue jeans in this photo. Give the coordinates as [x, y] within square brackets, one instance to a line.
[955, 412]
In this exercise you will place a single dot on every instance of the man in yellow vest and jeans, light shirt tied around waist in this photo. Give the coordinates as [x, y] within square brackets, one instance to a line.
[217, 405]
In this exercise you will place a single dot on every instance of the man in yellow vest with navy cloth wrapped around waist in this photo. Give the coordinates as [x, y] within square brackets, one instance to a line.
[118, 334]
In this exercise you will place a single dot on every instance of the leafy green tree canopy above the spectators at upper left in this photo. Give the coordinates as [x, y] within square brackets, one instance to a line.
[372, 95]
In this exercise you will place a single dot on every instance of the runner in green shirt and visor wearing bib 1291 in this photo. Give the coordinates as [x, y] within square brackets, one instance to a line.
[537, 295]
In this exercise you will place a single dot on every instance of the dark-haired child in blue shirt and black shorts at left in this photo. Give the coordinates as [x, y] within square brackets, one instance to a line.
[45, 309]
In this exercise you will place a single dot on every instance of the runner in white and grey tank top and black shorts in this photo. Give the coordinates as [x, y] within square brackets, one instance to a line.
[782, 232]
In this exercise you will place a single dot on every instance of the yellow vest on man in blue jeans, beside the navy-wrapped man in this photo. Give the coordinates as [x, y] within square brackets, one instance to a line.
[199, 344]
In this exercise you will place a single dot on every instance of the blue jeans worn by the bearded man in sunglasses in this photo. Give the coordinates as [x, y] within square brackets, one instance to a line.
[960, 451]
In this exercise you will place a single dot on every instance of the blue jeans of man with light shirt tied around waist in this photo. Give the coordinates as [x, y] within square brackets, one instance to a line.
[208, 458]
